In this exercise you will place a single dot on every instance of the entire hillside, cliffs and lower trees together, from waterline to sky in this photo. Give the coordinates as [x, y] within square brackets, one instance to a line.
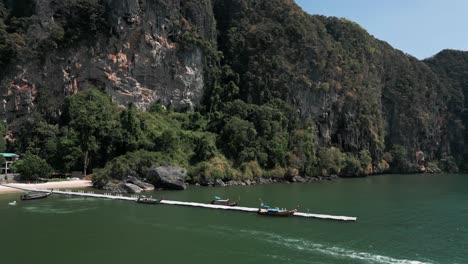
[261, 88]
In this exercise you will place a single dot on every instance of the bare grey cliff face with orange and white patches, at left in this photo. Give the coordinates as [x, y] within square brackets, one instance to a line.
[135, 54]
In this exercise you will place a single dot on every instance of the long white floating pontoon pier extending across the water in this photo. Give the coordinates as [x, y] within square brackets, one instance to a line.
[169, 202]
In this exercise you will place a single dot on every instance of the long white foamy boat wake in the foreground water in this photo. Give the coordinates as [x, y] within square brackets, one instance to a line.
[328, 250]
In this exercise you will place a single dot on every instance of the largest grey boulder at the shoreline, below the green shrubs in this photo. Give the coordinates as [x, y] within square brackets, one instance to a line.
[171, 178]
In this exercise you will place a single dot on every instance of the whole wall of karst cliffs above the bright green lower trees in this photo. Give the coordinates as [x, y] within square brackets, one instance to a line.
[355, 91]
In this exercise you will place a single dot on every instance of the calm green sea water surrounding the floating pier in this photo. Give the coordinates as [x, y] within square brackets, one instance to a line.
[401, 219]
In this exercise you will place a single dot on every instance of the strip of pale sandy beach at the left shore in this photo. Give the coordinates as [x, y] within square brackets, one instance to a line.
[73, 184]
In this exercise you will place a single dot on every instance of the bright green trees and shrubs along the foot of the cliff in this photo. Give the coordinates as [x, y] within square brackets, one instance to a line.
[240, 141]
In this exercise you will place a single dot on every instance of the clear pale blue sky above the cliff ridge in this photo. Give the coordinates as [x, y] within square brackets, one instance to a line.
[418, 27]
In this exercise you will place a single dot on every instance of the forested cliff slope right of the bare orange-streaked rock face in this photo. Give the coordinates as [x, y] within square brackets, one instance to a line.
[358, 91]
